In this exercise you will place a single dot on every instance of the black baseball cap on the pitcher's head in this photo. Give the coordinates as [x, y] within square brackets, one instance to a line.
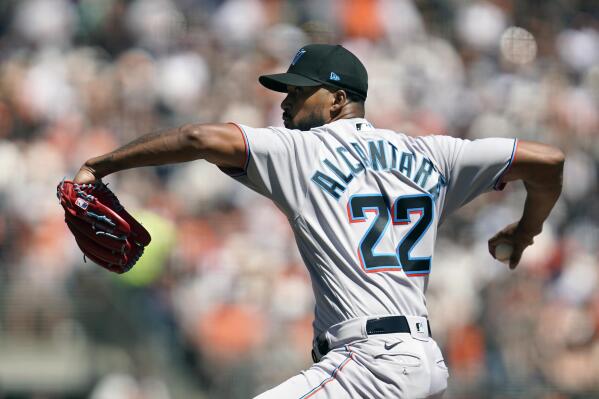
[321, 64]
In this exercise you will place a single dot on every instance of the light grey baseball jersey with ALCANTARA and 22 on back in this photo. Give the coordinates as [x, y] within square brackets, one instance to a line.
[365, 204]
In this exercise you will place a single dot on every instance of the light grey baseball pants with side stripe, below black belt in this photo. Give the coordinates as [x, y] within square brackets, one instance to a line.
[397, 365]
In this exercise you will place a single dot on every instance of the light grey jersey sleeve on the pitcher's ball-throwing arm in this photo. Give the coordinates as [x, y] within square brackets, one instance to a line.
[470, 167]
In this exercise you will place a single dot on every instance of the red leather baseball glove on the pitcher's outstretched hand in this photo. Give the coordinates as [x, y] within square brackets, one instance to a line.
[105, 232]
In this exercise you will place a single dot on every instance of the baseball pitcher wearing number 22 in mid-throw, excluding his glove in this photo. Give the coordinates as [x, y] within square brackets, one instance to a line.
[364, 204]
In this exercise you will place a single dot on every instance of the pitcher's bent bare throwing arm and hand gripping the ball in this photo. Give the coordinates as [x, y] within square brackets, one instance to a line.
[540, 167]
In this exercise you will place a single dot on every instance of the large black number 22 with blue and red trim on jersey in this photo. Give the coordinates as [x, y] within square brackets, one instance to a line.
[399, 214]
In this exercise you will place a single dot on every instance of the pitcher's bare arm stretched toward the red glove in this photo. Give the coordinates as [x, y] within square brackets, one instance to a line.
[221, 144]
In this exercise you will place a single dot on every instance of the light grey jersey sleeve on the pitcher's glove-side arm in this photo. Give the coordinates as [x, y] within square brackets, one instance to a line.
[277, 165]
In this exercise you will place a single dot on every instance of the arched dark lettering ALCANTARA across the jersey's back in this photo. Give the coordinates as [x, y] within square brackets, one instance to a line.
[379, 156]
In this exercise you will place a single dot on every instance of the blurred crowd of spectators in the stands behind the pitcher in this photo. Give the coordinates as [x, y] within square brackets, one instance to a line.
[221, 306]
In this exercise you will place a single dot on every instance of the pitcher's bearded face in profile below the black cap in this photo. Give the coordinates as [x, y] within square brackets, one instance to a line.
[305, 107]
